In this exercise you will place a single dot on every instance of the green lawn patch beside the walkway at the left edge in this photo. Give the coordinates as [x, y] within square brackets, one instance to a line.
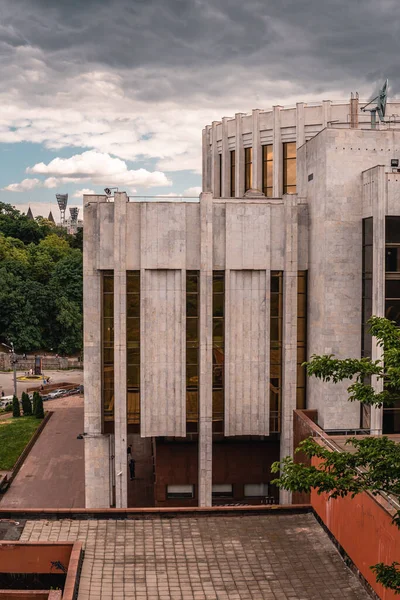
[14, 436]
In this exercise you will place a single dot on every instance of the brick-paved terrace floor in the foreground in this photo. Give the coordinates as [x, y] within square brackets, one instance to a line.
[272, 557]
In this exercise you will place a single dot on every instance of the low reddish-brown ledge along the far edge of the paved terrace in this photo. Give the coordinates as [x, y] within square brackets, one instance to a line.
[151, 513]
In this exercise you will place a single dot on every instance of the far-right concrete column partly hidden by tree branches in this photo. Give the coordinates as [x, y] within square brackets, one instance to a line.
[379, 209]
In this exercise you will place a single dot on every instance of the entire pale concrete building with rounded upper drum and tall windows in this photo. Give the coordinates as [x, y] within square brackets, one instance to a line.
[199, 313]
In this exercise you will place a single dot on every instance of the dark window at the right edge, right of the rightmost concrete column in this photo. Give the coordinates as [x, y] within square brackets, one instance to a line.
[391, 416]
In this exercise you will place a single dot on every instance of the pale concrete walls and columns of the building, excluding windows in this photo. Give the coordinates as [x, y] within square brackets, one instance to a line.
[343, 177]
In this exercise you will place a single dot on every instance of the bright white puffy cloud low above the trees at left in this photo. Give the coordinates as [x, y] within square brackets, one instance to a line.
[99, 168]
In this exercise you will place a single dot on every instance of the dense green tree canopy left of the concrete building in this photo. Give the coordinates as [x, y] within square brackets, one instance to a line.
[41, 284]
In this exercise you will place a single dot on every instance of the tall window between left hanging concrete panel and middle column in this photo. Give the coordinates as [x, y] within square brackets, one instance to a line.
[192, 350]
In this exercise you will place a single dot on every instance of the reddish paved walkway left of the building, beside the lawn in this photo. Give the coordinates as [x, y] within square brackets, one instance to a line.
[53, 474]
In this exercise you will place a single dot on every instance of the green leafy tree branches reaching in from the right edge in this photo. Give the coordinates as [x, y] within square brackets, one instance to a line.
[373, 465]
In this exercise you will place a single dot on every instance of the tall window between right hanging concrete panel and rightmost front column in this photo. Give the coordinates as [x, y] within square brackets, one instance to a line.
[276, 352]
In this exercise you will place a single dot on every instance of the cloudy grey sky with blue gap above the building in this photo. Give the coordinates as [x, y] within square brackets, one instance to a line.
[97, 93]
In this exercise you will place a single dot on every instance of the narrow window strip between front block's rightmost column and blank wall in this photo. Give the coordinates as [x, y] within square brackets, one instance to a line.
[301, 338]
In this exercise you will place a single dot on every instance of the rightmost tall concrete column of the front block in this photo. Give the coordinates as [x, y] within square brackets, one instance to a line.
[289, 349]
